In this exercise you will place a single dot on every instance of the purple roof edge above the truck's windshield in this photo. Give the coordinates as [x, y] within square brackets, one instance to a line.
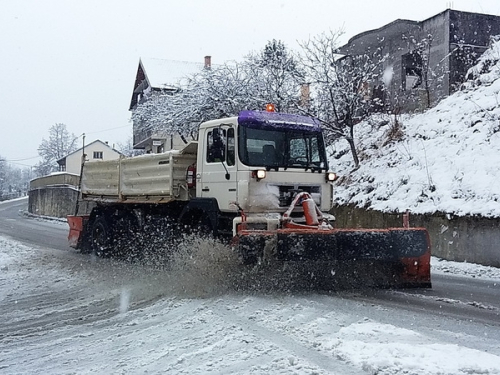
[261, 119]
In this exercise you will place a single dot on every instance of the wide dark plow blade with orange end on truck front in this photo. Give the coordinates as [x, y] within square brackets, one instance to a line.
[394, 257]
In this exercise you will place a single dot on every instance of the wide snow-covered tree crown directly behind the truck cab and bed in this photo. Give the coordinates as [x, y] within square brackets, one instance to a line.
[271, 76]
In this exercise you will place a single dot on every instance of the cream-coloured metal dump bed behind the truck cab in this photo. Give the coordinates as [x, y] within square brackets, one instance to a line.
[147, 178]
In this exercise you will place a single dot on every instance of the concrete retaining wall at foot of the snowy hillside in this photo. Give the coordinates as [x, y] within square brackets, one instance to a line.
[462, 239]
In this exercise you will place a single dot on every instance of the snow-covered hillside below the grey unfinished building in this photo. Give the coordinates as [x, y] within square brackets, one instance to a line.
[444, 160]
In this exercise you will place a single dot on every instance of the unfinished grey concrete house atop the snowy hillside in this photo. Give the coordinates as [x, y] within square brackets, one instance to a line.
[423, 61]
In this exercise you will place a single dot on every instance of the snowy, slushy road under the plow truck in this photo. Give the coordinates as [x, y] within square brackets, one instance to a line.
[64, 312]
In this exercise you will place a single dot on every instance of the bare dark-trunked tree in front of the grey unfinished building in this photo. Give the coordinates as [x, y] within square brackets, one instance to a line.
[341, 86]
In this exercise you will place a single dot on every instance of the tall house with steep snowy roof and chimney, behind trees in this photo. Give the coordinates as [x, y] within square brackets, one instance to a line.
[165, 76]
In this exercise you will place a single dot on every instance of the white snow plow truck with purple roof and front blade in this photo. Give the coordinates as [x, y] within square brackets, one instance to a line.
[259, 179]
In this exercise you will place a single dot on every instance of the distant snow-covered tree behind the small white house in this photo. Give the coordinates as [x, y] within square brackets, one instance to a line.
[59, 144]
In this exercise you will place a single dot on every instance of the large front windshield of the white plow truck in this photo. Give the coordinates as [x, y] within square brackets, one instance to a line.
[281, 147]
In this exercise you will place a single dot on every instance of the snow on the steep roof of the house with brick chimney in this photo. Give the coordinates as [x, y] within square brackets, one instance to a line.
[163, 73]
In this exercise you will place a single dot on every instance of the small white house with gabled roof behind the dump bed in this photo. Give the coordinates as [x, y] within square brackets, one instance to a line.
[94, 151]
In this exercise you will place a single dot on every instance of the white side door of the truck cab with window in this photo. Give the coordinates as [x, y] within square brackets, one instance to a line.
[218, 179]
